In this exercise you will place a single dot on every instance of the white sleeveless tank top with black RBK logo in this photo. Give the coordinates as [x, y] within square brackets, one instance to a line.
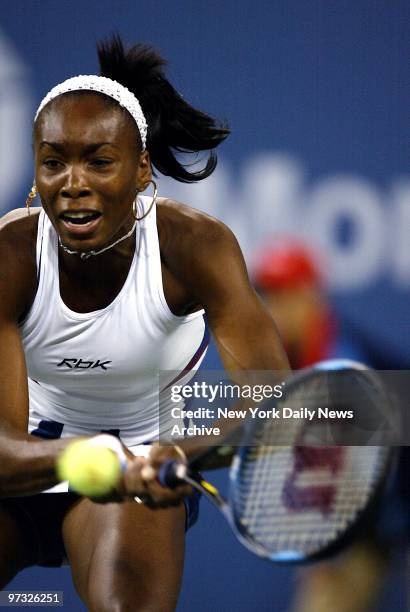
[98, 371]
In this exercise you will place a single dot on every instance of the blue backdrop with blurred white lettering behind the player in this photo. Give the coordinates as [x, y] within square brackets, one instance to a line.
[317, 96]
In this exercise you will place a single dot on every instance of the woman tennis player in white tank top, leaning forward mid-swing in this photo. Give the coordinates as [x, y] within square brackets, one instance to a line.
[100, 289]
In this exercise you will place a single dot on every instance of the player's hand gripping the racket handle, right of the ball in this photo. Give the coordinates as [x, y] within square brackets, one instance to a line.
[141, 478]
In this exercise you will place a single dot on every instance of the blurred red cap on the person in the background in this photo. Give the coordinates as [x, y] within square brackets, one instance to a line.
[285, 265]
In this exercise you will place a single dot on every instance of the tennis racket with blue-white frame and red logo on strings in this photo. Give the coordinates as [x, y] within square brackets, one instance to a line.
[295, 493]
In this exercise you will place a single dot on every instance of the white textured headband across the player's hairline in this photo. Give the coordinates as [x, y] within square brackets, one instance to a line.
[118, 92]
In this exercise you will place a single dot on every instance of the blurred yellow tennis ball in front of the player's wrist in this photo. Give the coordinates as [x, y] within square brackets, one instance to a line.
[91, 470]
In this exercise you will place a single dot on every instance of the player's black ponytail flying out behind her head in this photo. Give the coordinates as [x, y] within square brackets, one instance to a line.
[173, 125]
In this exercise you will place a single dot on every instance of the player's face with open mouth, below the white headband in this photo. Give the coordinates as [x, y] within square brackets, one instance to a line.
[88, 170]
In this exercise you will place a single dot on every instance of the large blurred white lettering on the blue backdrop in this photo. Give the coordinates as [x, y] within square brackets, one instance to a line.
[272, 197]
